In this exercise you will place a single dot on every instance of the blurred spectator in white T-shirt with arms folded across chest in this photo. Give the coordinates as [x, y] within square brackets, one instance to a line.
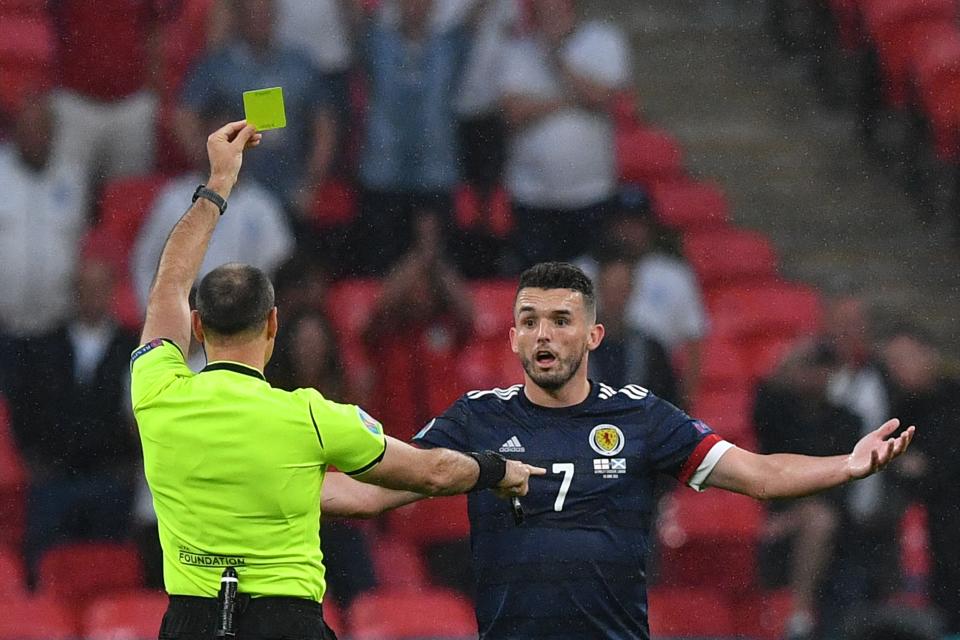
[556, 87]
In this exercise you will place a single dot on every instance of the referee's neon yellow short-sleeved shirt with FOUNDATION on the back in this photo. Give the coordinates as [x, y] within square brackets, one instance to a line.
[236, 468]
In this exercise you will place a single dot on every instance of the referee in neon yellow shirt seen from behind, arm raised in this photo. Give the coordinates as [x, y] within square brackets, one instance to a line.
[236, 466]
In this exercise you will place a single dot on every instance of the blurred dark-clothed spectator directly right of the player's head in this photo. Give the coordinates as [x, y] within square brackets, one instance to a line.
[627, 355]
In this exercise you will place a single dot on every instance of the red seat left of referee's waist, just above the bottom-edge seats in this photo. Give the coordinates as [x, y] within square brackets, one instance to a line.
[77, 571]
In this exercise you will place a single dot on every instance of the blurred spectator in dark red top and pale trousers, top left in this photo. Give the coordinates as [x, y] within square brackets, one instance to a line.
[109, 70]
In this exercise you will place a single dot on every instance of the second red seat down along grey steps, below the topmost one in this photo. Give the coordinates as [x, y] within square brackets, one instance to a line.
[689, 205]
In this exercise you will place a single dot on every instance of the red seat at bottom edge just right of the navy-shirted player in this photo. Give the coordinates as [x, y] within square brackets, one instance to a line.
[690, 612]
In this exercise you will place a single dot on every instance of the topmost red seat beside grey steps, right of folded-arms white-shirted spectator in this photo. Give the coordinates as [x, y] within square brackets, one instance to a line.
[647, 156]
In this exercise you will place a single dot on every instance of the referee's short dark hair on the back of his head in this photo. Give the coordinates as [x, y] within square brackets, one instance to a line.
[234, 298]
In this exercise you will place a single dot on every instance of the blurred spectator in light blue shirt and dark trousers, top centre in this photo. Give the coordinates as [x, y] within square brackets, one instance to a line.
[409, 154]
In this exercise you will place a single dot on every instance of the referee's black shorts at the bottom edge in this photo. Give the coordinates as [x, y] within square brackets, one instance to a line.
[267, 618]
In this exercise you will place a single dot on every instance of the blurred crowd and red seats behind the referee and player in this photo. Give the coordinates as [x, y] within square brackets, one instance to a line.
[434, 150]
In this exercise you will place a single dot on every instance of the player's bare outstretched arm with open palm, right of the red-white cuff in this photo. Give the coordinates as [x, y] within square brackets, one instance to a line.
[785, 475]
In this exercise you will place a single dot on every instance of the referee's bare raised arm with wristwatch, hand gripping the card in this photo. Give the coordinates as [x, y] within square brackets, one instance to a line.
[168, 308]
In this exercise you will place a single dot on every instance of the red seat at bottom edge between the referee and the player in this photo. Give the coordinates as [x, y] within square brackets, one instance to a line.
[401, 614]
